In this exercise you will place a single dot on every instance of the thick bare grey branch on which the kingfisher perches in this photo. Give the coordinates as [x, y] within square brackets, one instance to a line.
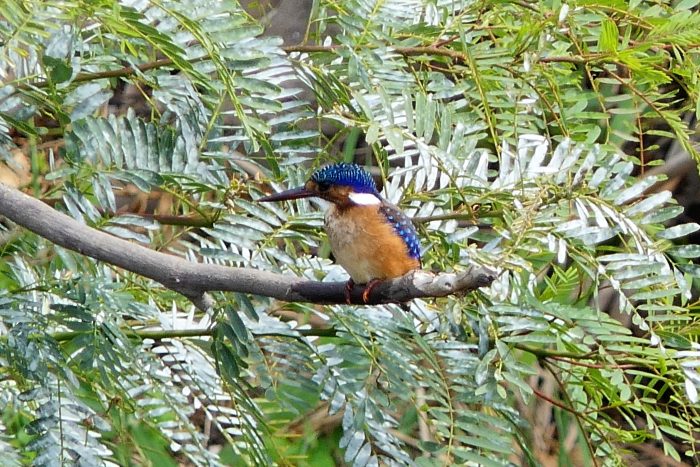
[193, 280]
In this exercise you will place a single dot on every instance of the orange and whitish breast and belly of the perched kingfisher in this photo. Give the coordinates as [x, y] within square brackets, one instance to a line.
[365, 245]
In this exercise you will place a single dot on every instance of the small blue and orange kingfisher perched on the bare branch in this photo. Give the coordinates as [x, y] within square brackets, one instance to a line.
[372, 239]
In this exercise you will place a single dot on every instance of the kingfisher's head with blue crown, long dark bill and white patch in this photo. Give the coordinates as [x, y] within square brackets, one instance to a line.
[343, 184]
